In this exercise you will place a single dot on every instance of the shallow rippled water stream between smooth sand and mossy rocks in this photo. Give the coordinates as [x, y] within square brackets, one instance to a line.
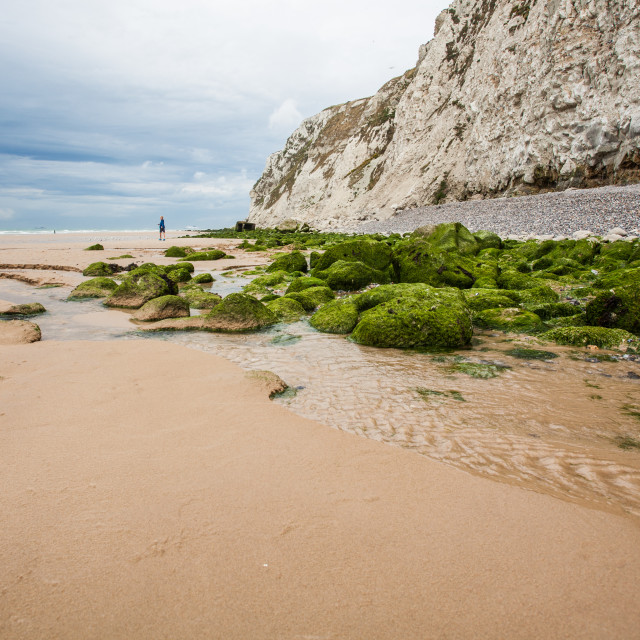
[551, 426]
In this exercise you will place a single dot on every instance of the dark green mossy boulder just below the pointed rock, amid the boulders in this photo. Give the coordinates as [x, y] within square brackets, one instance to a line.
[415, 260]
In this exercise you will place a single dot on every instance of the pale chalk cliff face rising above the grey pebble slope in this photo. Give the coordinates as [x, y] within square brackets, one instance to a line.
[509, 96]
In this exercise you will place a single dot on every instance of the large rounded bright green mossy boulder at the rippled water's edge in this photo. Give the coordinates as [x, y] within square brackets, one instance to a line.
[424, 317]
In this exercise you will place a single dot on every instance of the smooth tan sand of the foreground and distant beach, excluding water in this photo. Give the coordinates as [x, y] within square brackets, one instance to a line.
[154, 491]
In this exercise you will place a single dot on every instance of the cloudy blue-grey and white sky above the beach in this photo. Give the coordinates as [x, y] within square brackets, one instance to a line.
[114, 112]
